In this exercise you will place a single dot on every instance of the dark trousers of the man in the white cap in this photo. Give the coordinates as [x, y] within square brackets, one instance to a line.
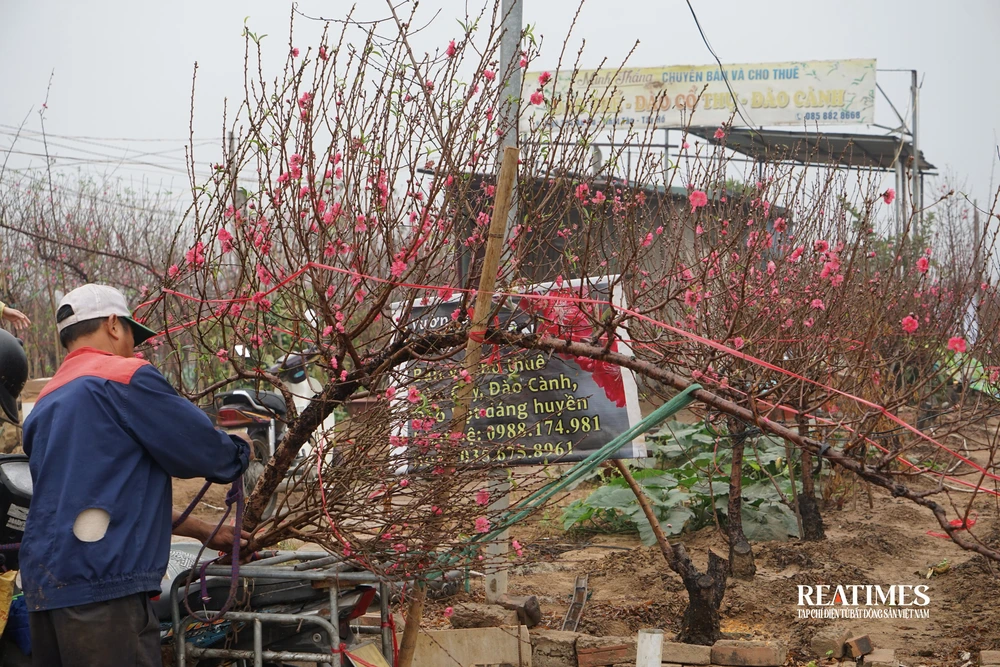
[117, 633]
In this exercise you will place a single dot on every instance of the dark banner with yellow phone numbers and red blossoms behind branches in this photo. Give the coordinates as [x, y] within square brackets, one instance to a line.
[529, 407]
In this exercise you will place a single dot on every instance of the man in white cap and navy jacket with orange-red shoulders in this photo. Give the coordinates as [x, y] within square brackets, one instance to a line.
[104, 439]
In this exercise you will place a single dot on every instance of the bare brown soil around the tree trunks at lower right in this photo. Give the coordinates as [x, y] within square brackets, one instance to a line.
[632, 587]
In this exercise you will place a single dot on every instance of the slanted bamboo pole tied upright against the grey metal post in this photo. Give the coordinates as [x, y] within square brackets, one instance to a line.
[473, 355]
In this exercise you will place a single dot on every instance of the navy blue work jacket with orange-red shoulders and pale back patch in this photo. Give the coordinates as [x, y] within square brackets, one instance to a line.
[108, 433]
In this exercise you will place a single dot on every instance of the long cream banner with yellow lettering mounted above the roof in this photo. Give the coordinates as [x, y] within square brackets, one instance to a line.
[812, 92]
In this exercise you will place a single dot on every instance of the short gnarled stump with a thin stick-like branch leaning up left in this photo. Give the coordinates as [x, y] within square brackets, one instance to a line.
[701, 623]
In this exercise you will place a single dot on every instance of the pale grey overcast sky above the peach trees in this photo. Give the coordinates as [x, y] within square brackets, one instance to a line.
[123, 68]
